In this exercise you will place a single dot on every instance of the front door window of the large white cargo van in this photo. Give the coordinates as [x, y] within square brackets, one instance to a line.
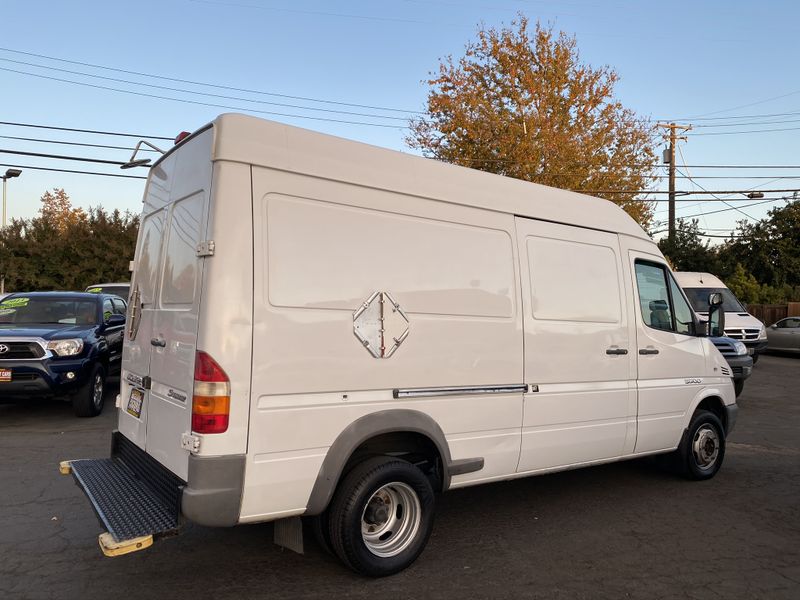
[661, 301]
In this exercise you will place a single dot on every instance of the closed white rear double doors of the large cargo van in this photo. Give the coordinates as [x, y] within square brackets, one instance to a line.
[159, 352]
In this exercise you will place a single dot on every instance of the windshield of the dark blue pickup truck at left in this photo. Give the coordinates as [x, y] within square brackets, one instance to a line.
[24, 310]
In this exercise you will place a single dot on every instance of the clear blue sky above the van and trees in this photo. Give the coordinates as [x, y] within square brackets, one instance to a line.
[707, 63]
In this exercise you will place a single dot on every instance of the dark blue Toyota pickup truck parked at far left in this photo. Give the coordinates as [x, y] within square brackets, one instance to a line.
[60, 344]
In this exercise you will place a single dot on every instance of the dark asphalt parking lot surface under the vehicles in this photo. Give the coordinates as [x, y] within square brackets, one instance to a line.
[626, 530]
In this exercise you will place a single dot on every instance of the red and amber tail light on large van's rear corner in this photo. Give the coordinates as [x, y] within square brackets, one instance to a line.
[211, 397]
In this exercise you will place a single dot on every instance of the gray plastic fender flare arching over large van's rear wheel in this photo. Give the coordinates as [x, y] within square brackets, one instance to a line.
[372, 425]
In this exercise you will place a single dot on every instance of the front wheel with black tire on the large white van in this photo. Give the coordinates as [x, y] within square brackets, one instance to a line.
[702, 448]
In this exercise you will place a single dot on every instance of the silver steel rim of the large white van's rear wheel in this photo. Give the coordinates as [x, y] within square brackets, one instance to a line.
[391, 519]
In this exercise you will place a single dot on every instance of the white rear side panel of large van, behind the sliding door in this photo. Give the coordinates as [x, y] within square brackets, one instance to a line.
[322, 248]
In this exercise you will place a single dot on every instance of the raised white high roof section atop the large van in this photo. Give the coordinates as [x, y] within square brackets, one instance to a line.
[250, 140]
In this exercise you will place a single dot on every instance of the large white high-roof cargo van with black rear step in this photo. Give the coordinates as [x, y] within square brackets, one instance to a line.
[321, 328]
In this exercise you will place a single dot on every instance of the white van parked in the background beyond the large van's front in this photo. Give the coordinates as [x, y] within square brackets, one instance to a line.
[739, 324]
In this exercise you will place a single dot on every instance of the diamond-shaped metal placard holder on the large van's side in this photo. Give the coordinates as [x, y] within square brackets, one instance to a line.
[380, 325]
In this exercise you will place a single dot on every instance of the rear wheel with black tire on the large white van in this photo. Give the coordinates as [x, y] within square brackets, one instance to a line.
[381, 516]
